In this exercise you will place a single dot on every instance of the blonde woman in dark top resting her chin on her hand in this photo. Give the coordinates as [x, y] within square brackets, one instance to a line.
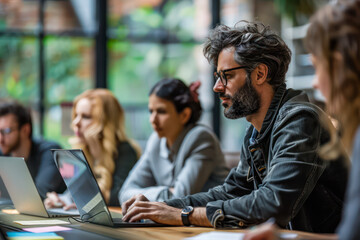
[98, 121]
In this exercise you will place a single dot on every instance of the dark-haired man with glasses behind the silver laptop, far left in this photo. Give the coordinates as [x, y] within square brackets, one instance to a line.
[16, 141]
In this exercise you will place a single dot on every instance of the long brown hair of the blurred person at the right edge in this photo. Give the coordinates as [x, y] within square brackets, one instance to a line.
[334, 32]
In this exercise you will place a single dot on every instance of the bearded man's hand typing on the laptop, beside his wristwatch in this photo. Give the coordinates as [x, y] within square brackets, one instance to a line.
[157, 211]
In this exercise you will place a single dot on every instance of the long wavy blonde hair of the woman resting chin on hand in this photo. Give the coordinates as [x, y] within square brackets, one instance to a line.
[109, 127]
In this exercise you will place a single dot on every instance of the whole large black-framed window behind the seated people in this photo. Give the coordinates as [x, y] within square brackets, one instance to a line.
[52, 50]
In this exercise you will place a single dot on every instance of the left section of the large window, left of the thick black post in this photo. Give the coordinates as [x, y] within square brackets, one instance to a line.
[46, 58]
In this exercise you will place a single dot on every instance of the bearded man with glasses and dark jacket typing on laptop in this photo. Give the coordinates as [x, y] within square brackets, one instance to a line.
[280, 175]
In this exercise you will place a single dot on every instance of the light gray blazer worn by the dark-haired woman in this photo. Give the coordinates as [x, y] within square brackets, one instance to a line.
[195, 163]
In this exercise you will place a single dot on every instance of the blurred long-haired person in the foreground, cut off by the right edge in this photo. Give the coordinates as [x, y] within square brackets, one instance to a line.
[333, 40]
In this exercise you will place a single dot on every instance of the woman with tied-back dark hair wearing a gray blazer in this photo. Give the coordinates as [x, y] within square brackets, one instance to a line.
[181, 156]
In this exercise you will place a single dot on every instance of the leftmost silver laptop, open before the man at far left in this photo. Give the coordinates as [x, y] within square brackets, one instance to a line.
[23, 192]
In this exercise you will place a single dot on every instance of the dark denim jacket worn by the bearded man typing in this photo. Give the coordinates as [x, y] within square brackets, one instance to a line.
[280, 174]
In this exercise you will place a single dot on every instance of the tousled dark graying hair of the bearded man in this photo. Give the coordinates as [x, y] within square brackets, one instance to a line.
[254, 43]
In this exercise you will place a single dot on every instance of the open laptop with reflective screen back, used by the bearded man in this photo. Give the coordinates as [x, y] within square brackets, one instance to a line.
[86, 194]
